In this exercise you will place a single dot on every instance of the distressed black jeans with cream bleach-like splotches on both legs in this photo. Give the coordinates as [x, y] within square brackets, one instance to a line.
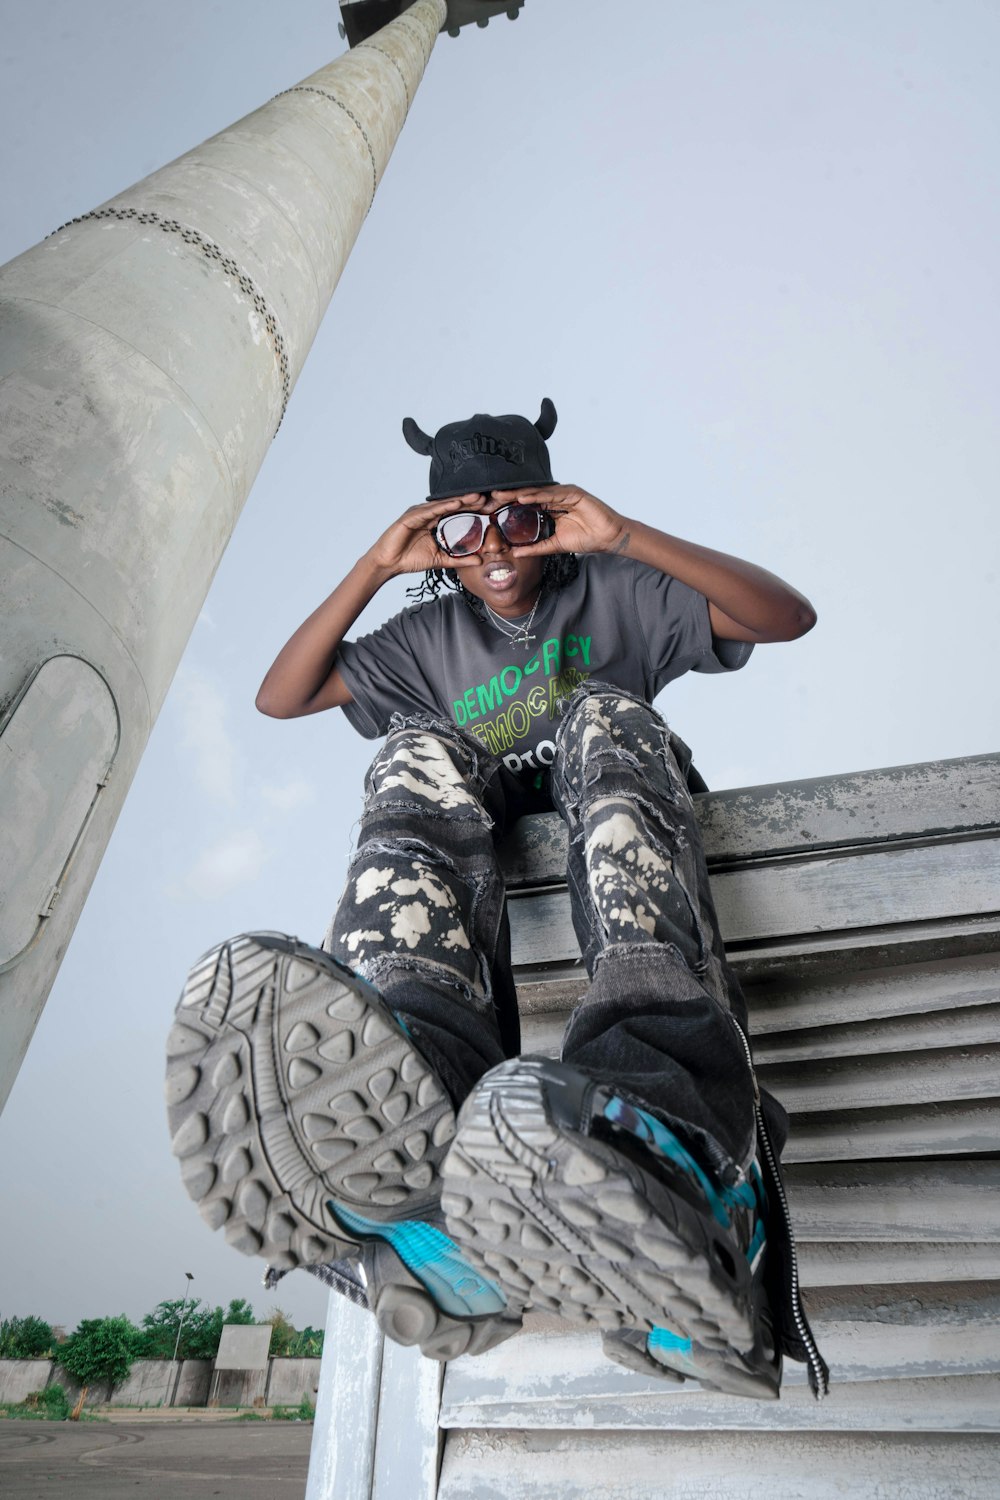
[424, 917]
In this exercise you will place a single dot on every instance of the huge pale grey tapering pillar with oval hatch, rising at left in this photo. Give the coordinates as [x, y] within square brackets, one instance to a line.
[148, 353]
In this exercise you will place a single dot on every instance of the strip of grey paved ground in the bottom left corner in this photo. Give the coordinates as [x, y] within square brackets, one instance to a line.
[185, 1460]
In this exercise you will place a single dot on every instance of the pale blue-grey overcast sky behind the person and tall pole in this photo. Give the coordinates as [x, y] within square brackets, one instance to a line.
[750, 251]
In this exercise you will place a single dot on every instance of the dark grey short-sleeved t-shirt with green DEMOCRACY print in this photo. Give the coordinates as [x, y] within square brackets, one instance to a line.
[618, 622]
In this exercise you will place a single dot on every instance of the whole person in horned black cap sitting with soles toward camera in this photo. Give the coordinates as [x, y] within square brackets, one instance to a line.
[365, 1108]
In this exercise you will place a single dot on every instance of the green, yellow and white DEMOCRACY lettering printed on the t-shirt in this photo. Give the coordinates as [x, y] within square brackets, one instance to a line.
[515, 713]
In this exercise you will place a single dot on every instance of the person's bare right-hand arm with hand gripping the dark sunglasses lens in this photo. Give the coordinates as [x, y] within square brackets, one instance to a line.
[746, 601]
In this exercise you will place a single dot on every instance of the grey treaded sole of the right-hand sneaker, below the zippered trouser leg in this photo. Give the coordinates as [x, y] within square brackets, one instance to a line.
[563, 1211]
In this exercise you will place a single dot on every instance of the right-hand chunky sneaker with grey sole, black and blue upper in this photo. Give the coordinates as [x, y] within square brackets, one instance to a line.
[584, 1204]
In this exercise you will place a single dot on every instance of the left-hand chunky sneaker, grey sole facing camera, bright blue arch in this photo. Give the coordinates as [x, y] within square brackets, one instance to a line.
[311, 1130]
